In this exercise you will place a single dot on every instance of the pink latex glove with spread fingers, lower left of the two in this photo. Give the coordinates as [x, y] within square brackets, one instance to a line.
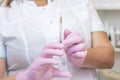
[42, 67]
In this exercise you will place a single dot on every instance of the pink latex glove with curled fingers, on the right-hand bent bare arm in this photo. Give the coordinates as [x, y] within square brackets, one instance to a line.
[76, 49]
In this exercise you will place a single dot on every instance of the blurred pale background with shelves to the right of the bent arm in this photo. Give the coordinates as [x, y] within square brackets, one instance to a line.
[109, 12]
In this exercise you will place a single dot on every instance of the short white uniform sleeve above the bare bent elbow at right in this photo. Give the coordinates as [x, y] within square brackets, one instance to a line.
[96, 22]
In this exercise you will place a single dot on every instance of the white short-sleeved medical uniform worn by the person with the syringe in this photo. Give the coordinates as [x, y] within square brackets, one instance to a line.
[26, 28]
